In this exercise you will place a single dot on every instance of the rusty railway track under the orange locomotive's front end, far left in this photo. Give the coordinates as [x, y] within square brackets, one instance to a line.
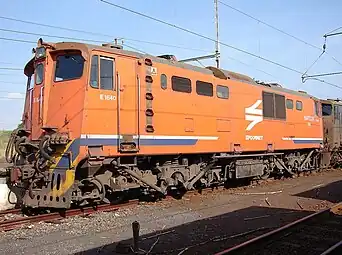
[7, 225]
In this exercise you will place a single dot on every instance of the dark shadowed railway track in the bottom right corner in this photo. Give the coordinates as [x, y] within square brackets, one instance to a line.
[319, 233]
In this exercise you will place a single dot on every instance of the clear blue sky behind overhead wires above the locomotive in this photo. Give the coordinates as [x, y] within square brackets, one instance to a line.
[307, 20]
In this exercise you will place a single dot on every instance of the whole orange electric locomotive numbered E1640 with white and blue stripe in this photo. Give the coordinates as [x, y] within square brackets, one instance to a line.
[100, 121]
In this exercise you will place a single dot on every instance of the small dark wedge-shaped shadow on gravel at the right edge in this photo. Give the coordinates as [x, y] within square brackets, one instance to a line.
[331, 192]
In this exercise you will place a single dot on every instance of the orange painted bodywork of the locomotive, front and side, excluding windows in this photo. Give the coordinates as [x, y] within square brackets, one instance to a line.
[206, 124]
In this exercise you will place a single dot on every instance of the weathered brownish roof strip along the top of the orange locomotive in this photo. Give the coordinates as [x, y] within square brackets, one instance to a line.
[220, 73]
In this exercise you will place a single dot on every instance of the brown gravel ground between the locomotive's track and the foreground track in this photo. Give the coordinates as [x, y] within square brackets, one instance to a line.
[196, 224]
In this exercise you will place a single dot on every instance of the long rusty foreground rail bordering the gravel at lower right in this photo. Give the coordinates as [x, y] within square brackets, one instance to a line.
[263, 237]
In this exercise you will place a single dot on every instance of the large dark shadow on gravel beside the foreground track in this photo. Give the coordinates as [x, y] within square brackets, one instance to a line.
[206, 236]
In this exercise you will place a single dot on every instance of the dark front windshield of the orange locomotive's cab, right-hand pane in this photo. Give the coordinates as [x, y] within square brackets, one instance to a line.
[68, 67]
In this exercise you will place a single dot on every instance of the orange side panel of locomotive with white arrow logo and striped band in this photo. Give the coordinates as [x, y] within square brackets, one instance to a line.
[192, 123]
